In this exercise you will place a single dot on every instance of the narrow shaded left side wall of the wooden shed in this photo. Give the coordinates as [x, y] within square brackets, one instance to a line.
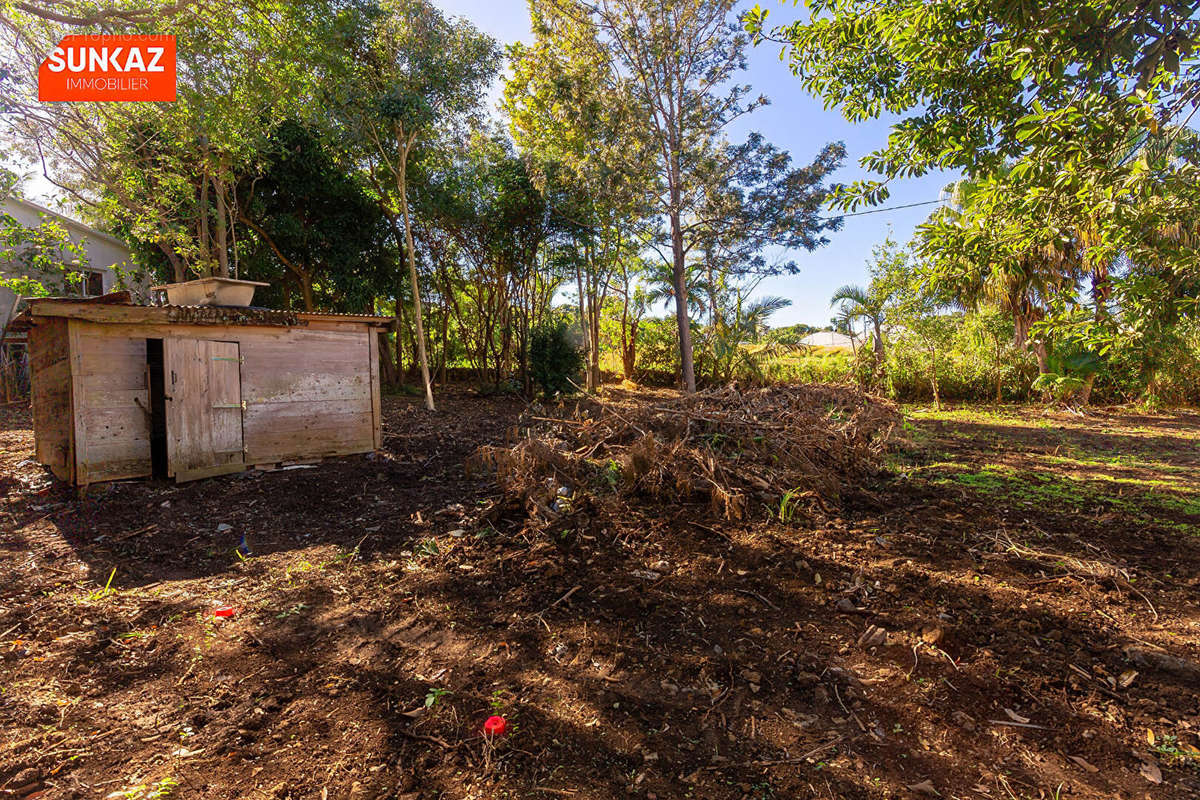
[50, 362]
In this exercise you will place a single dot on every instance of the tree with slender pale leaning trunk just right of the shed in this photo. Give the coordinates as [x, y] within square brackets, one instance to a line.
[419, 70]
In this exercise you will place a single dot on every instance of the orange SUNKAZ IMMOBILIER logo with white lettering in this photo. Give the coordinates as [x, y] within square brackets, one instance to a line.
[110, 69]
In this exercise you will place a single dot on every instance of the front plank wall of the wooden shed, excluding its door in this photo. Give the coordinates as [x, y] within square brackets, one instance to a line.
[310, 393]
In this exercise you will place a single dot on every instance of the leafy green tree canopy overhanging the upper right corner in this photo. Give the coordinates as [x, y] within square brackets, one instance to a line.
[1036, 106]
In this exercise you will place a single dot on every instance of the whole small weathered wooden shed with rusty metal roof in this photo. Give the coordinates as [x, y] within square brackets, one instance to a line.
[193, 392]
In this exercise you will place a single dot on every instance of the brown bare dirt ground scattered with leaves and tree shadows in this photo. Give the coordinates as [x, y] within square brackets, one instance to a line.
[1010, 613]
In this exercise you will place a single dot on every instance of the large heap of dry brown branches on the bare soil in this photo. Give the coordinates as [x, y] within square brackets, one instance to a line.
[779, 452]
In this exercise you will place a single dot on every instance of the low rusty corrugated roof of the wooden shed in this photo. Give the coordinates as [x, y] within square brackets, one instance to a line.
[119, 309]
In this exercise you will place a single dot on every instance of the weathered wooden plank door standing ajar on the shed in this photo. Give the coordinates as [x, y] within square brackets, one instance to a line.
[203, 389]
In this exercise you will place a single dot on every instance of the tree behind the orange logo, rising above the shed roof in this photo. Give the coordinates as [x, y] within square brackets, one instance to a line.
[165, 173]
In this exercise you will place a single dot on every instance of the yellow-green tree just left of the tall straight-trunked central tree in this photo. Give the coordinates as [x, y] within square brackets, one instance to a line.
[590, 155]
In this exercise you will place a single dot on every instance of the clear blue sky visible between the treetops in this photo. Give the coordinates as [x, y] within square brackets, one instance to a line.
[796, 122]
